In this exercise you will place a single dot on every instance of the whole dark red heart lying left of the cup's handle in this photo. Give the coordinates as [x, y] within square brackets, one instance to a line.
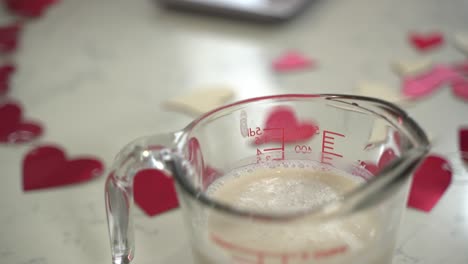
[47, 167]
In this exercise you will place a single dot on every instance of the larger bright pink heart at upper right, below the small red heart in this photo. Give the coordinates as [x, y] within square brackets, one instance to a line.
[425, 84]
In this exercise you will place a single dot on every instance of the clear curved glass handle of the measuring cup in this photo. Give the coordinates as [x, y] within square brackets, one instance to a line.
[154, 152]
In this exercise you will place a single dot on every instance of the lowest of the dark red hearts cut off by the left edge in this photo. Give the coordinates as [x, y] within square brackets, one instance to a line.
[13, 129]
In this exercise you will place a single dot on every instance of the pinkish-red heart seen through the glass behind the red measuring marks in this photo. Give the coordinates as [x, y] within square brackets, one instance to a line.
[283, 118]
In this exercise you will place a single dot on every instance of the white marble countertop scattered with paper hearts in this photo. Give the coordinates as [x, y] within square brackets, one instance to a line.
[95, 73]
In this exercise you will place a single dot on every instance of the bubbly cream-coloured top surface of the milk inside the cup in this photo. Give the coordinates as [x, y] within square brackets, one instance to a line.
[286, 186]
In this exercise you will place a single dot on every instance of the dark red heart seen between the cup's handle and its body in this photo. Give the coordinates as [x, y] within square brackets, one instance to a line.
[154, 192]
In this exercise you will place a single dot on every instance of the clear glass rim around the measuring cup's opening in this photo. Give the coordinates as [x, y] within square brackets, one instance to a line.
[329, 209]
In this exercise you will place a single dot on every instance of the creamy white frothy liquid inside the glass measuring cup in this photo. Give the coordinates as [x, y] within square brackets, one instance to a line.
[288, 187]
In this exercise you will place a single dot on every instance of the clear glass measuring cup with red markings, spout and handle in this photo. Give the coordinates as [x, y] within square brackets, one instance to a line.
[314, 132]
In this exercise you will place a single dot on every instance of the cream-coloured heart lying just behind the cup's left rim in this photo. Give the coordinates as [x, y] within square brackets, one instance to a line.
[200, 101]
